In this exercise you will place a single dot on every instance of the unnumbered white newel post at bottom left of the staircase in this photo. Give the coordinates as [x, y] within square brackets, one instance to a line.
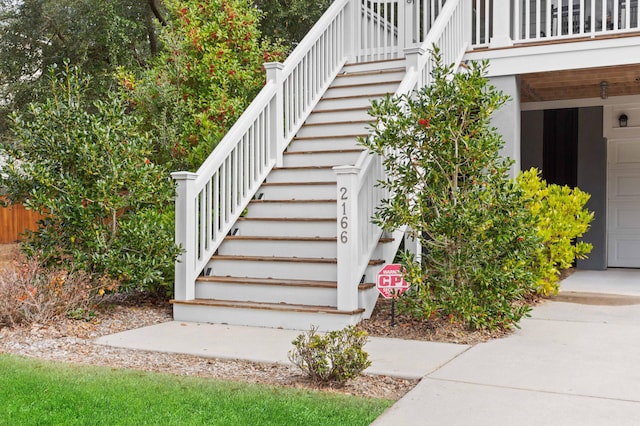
[185, 235]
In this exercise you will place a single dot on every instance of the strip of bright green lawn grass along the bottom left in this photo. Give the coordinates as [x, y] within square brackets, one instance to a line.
[37, 392]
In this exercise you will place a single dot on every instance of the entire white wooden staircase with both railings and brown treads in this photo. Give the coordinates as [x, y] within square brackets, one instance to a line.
[275, 225]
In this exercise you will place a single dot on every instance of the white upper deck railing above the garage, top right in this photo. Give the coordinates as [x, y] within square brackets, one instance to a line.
[525, 21]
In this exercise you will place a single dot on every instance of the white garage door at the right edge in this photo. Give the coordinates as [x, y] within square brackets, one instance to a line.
[623, 189]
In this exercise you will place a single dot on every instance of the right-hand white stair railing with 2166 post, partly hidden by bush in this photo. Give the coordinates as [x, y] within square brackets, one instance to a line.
[357, 193]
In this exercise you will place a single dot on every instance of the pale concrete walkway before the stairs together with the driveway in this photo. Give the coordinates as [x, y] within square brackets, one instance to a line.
[569, 364]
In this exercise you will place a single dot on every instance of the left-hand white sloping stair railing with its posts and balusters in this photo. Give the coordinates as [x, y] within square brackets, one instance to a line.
[209, 201]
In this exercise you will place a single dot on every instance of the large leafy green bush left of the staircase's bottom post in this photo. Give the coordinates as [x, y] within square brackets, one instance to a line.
[86, 167]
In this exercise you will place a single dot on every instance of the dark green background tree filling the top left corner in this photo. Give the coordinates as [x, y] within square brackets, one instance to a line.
[95, 36]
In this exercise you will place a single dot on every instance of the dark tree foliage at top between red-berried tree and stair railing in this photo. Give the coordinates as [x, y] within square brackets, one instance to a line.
[290, 20]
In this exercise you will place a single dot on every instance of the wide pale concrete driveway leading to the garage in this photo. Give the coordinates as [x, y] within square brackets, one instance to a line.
[574, 362]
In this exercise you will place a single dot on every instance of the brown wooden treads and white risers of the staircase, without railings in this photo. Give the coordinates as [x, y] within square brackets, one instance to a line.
[278, 267]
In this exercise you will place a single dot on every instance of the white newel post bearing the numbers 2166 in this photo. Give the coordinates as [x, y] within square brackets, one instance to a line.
[348, 227]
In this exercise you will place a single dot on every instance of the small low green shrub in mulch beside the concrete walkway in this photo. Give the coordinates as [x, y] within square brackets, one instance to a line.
[336, 356]
